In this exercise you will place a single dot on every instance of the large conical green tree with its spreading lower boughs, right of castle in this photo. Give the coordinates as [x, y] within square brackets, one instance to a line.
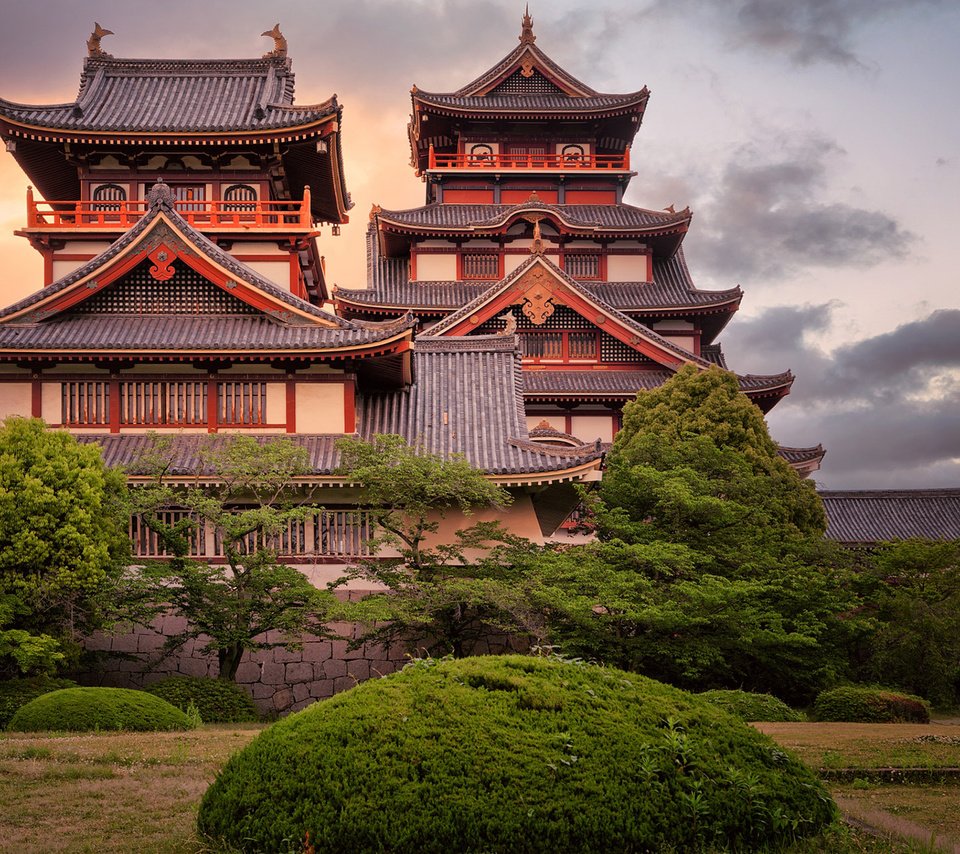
[711, 570]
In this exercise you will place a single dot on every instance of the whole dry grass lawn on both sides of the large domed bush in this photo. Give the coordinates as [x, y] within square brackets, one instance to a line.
[123, 792]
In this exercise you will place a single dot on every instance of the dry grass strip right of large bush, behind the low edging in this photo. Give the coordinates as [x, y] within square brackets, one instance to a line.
[840, 745]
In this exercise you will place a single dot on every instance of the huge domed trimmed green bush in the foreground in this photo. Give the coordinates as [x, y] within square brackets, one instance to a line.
[512, 753]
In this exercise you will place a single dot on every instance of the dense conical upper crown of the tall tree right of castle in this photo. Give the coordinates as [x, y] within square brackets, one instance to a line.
[694, 464]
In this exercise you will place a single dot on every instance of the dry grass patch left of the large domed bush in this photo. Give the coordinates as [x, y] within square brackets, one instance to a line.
[110, 792]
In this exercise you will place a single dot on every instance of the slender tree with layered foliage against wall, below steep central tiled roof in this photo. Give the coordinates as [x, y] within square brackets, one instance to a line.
[441, 594]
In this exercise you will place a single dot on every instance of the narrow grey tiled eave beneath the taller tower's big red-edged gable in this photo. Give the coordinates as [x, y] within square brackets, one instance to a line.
[549, 383]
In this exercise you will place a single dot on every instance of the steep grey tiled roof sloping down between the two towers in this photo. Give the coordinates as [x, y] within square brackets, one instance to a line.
[467, 399]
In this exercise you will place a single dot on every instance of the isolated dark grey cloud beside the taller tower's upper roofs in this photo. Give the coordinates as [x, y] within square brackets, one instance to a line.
[767, 217]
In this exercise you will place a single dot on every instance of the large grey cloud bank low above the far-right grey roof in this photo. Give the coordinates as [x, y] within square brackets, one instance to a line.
[887, 408]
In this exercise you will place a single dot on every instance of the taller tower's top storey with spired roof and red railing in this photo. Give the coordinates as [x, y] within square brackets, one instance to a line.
[526, 117]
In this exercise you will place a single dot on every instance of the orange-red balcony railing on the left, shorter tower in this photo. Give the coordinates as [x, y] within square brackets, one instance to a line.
[121, 214]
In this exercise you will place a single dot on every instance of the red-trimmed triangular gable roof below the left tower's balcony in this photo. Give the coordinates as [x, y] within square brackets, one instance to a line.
[48, 318]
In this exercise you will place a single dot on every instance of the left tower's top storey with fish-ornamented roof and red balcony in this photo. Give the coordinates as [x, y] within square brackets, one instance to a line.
[222, 132]
